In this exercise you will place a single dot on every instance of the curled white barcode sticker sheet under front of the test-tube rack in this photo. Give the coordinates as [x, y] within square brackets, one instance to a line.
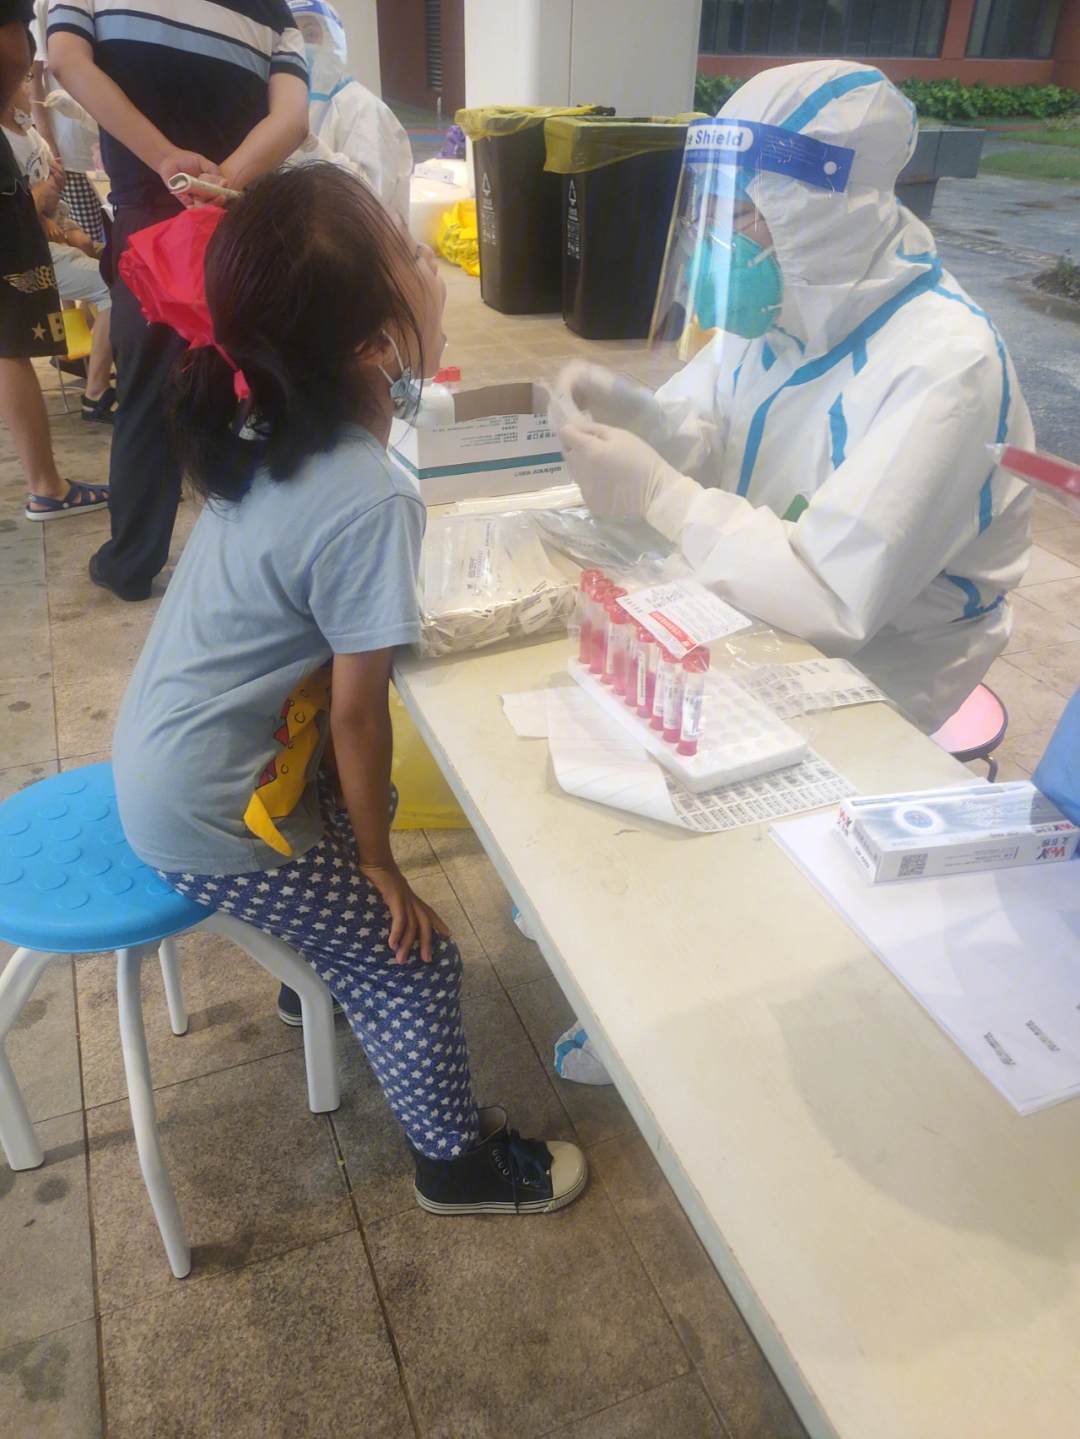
[596, 759]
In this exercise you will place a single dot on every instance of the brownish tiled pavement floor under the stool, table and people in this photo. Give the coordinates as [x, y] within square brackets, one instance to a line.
[323, 1302]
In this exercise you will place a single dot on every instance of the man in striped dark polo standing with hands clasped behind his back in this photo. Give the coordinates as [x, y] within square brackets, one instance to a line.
[229, 110]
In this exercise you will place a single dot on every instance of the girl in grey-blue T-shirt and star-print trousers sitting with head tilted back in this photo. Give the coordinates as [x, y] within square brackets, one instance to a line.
[252, 752]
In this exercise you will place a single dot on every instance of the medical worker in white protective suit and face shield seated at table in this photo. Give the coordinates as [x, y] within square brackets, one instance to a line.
[823, 461]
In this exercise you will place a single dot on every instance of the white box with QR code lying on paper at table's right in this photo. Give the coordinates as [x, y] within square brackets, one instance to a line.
[954, 832]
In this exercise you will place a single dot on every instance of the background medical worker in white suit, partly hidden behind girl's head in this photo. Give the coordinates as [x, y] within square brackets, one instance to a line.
[347, 117]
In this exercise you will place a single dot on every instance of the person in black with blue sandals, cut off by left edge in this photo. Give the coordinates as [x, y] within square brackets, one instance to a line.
[31, 320]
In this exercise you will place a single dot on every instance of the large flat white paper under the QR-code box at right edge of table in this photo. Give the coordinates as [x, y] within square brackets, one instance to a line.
[994, 958]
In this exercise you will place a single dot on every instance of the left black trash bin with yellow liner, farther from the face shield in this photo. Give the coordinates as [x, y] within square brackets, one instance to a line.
[518, 208]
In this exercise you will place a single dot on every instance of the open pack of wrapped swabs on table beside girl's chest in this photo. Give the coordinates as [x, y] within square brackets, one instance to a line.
[485, 579]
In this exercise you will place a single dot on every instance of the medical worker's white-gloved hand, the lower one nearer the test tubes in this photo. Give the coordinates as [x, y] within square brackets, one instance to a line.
[616, 471]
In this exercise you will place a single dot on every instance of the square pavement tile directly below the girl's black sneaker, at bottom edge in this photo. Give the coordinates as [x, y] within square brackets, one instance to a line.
[541, 1320]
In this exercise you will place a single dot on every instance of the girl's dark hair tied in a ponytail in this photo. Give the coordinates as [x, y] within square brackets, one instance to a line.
[301, 274]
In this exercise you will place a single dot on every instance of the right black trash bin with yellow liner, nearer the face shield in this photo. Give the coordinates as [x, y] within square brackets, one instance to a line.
[619, 185]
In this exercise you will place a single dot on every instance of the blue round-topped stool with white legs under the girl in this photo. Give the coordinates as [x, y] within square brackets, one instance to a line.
[71, 884]
